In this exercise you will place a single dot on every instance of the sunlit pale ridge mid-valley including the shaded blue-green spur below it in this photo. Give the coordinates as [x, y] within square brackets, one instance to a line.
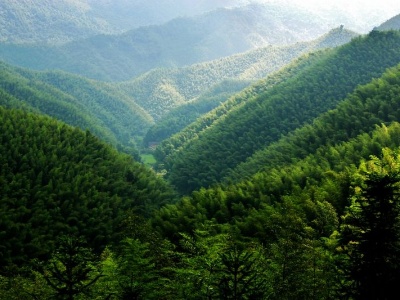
[159, 91]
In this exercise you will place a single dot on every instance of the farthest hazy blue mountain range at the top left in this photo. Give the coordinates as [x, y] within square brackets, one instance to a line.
[58, 22]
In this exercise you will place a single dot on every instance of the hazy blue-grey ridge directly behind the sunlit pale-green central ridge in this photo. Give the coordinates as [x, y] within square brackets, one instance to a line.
[180, 42]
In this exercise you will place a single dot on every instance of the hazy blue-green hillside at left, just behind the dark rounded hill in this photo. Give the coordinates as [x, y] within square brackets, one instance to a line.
[107, 112]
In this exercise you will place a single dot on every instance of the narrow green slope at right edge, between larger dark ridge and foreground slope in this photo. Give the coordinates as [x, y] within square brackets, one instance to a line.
[367, 107]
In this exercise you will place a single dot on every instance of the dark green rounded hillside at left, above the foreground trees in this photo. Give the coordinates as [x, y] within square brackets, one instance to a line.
[56, 179]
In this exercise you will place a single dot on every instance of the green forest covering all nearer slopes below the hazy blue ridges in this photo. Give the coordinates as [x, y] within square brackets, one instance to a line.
[291, 186]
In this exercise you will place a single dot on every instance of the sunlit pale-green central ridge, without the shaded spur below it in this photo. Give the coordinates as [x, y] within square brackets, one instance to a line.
[160, 90]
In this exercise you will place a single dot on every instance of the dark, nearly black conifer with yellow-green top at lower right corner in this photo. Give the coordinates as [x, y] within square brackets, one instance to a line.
[370, 232]
